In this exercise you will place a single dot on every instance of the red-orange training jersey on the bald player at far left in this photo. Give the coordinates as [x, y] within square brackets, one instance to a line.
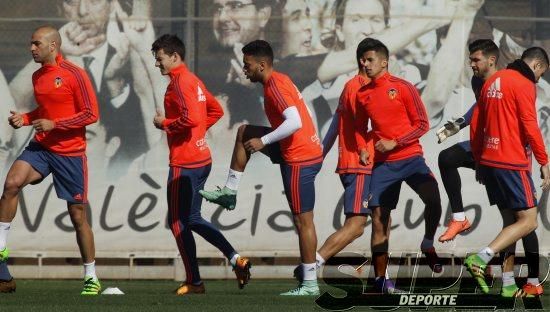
[65, 95]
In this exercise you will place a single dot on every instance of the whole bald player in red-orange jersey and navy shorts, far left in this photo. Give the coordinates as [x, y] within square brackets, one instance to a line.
[66, 105]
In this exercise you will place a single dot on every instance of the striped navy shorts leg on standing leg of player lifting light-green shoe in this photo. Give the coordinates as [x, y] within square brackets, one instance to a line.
[299, 184]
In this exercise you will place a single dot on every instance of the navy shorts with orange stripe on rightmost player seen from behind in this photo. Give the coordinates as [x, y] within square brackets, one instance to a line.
[509, 188]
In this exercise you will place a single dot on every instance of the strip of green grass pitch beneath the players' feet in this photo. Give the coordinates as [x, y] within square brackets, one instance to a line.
[140, 295]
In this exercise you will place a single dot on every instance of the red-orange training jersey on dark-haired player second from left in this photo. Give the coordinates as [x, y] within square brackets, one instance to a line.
[190, 110]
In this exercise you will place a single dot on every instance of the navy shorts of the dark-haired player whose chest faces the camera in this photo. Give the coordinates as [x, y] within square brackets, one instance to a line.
[387, 177]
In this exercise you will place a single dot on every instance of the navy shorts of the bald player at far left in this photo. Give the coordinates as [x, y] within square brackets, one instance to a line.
[70, 173]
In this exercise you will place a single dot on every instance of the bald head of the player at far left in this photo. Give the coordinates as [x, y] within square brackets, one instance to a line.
[45, 44]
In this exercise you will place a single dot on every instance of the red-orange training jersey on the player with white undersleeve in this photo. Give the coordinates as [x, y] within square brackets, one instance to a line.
[303, 145]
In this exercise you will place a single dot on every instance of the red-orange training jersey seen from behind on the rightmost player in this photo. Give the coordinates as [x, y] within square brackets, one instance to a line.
[504, 123]
